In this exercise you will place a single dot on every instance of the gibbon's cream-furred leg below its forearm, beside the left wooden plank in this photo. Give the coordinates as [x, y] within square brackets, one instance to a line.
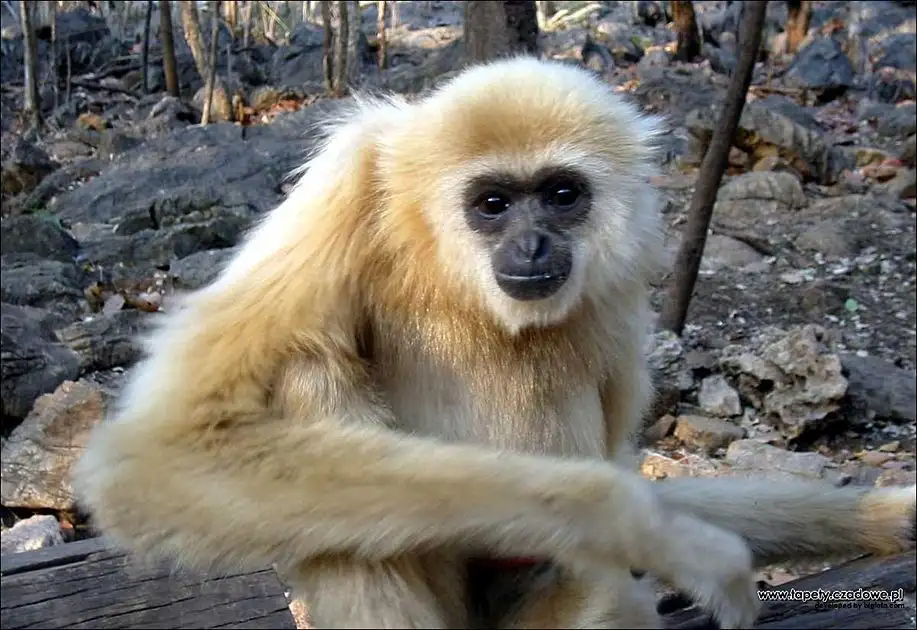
[405, 592]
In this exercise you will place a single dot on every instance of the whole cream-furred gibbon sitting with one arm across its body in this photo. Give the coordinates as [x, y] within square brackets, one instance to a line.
[372, 393]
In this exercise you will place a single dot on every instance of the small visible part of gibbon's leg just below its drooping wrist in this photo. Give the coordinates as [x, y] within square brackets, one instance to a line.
[612, 599]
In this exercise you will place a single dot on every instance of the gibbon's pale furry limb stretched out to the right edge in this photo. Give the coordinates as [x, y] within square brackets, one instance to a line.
[793, 520]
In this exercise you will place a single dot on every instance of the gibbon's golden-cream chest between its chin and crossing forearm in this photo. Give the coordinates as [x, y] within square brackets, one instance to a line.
[505, 400]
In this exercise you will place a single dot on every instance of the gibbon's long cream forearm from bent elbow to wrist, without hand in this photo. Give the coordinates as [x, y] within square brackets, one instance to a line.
[199, 480]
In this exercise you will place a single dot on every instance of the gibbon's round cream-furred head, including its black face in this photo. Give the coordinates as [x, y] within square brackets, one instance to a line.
[534, 178]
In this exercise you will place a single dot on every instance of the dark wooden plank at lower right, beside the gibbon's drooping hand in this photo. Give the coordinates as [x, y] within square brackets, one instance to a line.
[869, 573]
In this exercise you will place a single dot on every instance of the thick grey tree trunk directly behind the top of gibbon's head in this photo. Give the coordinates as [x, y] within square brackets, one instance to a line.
[498, 29]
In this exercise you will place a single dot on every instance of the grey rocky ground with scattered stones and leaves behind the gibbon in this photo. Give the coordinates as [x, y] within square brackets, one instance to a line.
[799, 358]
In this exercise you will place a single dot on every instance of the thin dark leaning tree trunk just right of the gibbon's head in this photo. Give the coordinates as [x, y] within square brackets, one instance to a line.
[681, 284]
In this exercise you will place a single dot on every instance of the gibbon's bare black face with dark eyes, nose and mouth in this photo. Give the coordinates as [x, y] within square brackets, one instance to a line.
[528, 223]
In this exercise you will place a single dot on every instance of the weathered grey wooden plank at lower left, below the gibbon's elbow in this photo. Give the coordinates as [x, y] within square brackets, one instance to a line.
[88, 586]
